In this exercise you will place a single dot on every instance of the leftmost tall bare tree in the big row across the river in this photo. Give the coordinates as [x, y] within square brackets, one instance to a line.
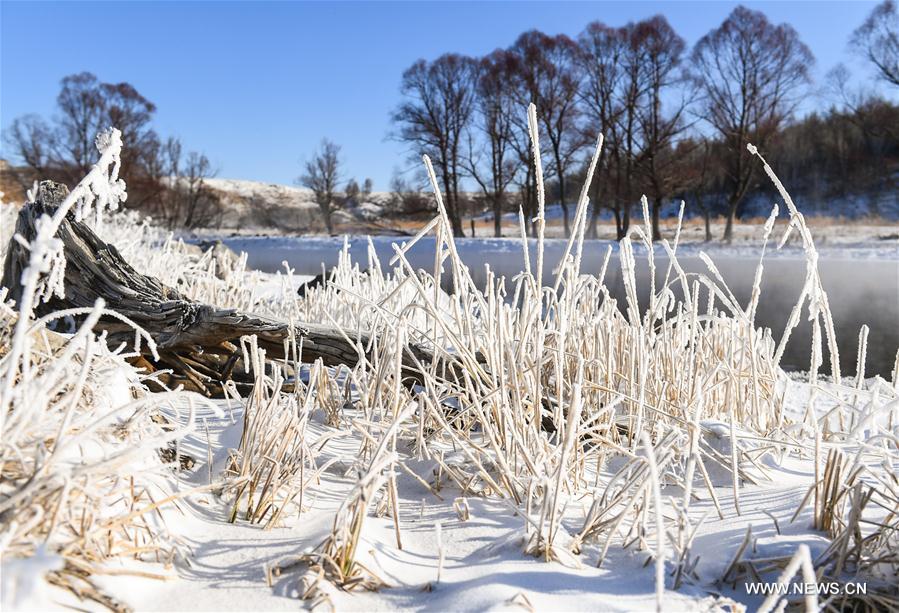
[438, 105]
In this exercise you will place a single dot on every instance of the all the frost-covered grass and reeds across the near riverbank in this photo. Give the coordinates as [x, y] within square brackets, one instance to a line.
[591, 427]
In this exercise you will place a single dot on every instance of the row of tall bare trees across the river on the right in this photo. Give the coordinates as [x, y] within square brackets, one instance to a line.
[676, 121]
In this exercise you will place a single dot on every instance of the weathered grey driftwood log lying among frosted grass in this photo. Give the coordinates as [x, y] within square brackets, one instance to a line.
[198, 342]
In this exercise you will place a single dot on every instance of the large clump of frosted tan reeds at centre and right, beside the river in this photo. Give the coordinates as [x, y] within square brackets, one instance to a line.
[566, 394]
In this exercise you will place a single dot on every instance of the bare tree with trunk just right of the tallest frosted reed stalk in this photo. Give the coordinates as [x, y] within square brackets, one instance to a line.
[547, 75]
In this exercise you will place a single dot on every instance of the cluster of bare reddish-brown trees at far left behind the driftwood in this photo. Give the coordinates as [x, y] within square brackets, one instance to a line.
[163, 180]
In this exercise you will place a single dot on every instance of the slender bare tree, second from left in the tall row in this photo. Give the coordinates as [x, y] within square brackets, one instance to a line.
[495, 112]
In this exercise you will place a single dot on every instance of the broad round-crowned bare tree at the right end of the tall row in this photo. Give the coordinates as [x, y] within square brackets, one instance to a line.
[751, 73]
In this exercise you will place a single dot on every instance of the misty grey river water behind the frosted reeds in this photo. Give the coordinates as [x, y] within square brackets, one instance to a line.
[862, 283]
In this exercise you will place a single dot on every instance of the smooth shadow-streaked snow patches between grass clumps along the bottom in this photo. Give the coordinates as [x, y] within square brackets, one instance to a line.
[484, 566]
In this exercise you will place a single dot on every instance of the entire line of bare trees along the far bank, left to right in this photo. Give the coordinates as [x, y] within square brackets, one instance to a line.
[676, 123]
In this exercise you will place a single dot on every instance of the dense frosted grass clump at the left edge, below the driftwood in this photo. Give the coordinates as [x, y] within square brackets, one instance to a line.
[83, 481]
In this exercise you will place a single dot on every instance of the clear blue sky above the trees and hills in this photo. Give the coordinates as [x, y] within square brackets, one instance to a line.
[256, 85]
